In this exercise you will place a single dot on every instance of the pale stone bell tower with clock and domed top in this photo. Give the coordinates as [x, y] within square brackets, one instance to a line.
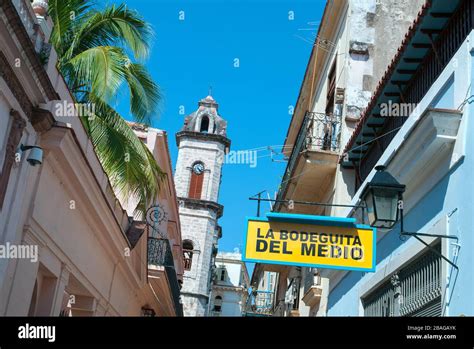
[202, 145]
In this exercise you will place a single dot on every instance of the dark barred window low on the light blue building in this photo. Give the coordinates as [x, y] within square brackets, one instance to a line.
[414, 290]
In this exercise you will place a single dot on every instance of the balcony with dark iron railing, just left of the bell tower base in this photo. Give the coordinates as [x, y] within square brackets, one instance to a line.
[162, 276]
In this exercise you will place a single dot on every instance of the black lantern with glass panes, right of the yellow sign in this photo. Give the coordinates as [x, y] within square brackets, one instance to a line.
[381, 197]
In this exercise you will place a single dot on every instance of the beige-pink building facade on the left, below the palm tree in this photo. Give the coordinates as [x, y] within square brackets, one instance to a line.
[65, 207]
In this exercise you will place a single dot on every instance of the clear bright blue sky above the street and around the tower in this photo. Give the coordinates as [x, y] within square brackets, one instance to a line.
[190, 55]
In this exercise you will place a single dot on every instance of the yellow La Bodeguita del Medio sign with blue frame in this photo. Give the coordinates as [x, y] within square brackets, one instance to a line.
[311, 241]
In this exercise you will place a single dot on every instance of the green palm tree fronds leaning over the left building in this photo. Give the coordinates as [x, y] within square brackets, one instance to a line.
[93, 46]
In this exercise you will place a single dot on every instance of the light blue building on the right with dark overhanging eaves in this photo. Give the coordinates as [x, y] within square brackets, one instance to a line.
[426, 143]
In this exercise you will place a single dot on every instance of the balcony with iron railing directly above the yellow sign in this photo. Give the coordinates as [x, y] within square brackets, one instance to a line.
[313, 161]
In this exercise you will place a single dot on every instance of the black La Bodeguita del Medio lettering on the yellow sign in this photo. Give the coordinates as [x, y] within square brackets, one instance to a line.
[330, 245]
